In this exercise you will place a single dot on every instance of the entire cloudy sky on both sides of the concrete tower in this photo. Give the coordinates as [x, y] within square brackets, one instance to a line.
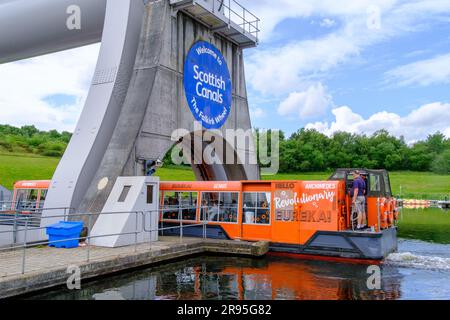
[332, 65]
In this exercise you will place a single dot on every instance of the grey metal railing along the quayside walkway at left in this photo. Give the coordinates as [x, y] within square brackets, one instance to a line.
[142, 226]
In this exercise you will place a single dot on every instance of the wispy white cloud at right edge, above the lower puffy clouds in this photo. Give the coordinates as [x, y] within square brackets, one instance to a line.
[422, 73]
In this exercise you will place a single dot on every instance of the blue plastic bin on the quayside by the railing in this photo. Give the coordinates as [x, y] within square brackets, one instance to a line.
[62, 231]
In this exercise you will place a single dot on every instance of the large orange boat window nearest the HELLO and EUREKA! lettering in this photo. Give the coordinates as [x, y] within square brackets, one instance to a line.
[256, 208]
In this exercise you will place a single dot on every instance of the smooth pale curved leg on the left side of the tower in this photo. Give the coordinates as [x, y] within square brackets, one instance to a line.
[102, 108]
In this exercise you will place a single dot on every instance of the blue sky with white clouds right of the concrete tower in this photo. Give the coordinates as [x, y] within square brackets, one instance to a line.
[385, 73]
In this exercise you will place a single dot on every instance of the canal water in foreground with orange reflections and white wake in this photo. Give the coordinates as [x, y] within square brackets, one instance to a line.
[420, 270]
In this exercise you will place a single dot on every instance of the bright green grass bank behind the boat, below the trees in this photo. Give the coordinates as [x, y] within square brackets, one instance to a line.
[420, 185]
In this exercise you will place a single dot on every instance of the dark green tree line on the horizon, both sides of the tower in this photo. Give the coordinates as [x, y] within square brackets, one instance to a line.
[303, 151]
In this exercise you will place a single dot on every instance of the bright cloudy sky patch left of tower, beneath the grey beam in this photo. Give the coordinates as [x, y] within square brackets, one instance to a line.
[25, 85]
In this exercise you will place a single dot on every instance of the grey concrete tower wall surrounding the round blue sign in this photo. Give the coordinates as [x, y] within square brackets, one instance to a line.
[155, 104]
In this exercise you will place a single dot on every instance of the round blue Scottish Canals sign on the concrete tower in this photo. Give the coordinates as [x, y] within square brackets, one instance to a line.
[207, 84]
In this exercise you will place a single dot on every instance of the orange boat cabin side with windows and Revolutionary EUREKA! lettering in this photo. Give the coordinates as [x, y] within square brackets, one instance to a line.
[280, 211]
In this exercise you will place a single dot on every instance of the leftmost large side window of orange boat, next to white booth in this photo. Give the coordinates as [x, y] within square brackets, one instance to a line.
[180, 202]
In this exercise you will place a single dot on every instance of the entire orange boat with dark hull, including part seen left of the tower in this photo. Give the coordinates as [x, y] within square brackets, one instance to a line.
[303, 219]
